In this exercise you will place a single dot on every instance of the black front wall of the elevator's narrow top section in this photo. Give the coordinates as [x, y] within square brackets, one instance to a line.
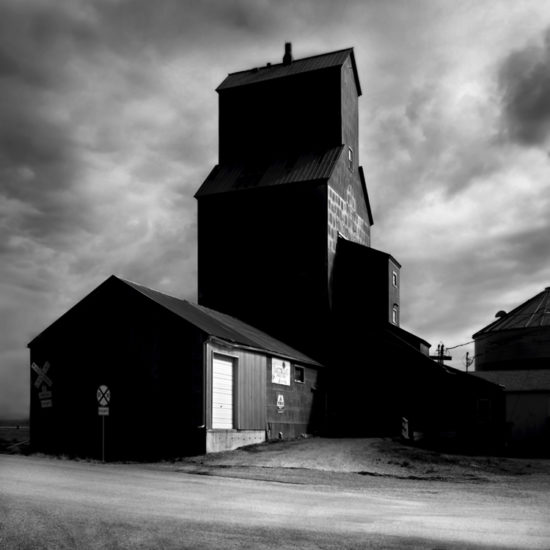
[279, 116]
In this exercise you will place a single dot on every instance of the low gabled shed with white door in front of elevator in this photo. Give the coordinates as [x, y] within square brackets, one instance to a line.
[136, 374]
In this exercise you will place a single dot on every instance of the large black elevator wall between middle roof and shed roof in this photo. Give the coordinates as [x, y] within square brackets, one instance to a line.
[272, 244]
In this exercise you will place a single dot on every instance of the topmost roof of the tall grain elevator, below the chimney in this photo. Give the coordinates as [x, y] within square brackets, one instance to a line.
[298, 66]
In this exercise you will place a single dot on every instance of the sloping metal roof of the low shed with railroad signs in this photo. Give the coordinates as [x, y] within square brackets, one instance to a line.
[220, 325]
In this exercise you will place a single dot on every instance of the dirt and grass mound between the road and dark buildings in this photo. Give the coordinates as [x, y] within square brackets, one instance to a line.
[382, 457]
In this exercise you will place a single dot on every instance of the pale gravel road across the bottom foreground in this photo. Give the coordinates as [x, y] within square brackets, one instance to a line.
[51, 503]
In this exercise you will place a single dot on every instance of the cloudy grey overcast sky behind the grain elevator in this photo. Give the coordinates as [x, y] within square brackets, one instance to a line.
[108, 125]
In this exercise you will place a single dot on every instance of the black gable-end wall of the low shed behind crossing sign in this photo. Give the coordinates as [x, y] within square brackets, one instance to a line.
[150, 360]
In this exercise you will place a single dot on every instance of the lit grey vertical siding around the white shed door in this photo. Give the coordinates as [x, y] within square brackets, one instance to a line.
[250, 384]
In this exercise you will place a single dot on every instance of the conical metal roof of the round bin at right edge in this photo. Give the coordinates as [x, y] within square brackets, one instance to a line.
[533, 313]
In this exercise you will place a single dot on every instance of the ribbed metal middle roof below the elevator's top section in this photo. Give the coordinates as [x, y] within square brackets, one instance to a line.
[312, 166]
